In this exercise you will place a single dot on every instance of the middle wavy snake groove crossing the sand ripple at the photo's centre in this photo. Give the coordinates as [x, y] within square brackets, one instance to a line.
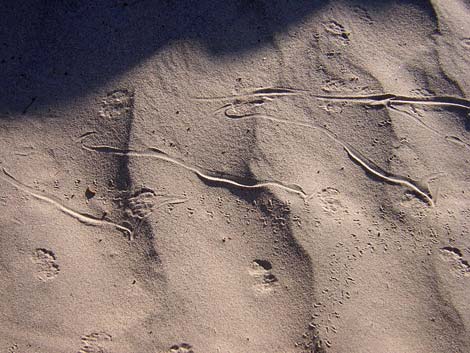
[156, 153]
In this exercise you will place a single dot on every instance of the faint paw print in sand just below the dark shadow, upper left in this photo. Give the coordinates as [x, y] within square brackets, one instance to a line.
[117, 104]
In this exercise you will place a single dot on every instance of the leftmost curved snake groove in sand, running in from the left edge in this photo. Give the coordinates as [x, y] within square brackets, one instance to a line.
[81, 217]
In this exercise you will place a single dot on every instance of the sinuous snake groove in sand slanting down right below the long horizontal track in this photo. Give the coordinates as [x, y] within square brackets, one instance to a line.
[420, 188]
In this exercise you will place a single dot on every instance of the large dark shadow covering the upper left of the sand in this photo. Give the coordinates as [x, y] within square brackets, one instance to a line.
[55, 51]
